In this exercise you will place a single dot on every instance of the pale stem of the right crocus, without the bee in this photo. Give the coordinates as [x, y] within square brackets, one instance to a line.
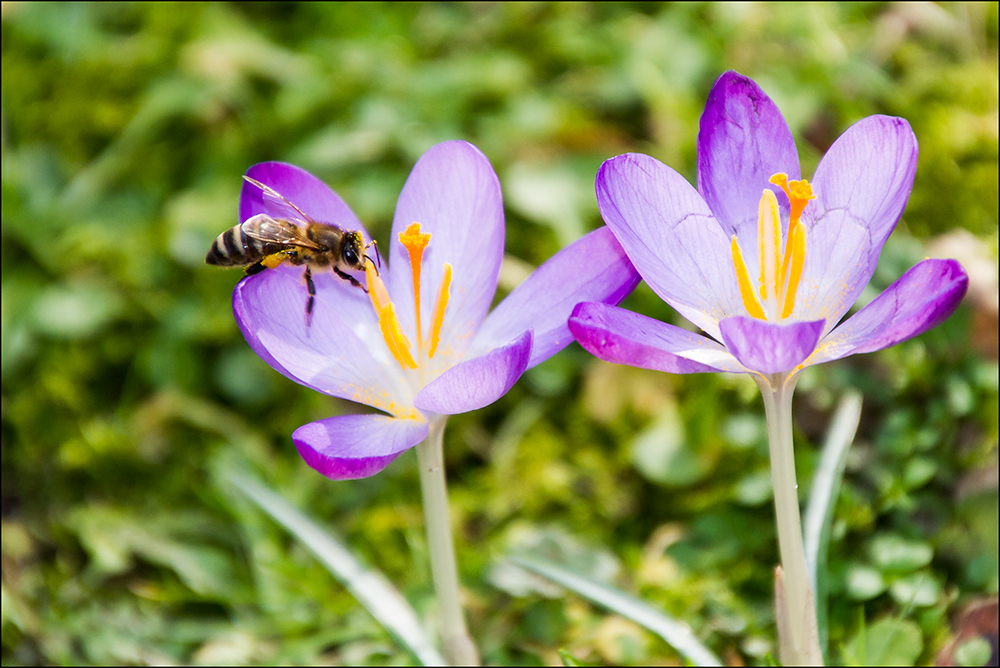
[798, 637]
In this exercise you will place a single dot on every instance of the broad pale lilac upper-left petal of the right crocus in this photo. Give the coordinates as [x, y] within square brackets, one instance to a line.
[671, 237]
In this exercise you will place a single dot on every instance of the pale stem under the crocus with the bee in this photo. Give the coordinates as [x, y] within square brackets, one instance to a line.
[459, 649]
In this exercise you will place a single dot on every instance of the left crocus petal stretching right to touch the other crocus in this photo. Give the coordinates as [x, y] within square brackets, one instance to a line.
[593, 268]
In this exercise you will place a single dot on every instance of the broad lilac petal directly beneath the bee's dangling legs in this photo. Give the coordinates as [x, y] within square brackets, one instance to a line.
[341, 354]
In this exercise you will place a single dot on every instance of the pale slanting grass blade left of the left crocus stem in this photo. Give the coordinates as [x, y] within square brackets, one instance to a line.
[382, 600]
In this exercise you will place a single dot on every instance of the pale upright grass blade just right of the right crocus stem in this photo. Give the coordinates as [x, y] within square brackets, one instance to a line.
[823, 498]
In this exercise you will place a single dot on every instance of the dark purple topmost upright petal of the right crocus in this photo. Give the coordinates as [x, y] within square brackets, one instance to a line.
[743, 140]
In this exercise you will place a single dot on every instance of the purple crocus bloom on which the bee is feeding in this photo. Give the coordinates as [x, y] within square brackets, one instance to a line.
[419, 354]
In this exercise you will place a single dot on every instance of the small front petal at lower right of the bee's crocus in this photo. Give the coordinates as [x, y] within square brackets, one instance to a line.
[477, 382]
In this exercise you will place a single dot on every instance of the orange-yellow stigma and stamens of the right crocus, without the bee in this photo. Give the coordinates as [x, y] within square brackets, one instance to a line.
[780, 272]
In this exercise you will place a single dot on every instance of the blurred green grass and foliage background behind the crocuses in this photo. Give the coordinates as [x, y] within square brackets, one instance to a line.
[128, 391]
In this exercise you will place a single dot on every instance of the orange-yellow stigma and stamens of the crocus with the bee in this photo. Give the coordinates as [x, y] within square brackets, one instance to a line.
[408, 357]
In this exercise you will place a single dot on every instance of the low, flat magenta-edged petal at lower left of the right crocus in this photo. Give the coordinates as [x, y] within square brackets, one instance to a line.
[617, 335]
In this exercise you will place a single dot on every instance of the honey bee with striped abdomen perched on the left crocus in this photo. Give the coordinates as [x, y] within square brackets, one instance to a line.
[262, 242]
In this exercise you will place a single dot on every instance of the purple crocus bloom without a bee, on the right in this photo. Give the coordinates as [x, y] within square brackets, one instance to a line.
[765, 263]
